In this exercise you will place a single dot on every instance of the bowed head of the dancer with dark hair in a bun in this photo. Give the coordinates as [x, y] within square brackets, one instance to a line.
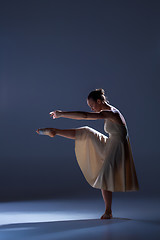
[96, 100]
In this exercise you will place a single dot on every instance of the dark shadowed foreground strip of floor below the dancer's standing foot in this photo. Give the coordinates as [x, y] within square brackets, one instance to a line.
[88, 229]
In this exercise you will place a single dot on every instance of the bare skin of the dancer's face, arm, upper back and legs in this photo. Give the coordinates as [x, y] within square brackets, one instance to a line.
[102, 110]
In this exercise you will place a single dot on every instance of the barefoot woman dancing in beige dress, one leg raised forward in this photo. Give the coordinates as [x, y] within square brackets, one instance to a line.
[106, 162]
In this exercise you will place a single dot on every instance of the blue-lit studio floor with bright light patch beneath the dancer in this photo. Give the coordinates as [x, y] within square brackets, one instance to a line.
[80, 219]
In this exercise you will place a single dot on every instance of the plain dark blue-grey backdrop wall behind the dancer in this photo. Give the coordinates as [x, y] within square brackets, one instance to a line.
[52, 54]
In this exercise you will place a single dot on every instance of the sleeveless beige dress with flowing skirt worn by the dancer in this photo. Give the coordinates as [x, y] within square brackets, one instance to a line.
[106, 162]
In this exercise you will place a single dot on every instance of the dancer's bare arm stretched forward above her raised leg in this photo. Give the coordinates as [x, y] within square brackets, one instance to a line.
[79, 115]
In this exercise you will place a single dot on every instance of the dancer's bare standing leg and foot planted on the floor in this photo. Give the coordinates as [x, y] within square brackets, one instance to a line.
[107, 197]
